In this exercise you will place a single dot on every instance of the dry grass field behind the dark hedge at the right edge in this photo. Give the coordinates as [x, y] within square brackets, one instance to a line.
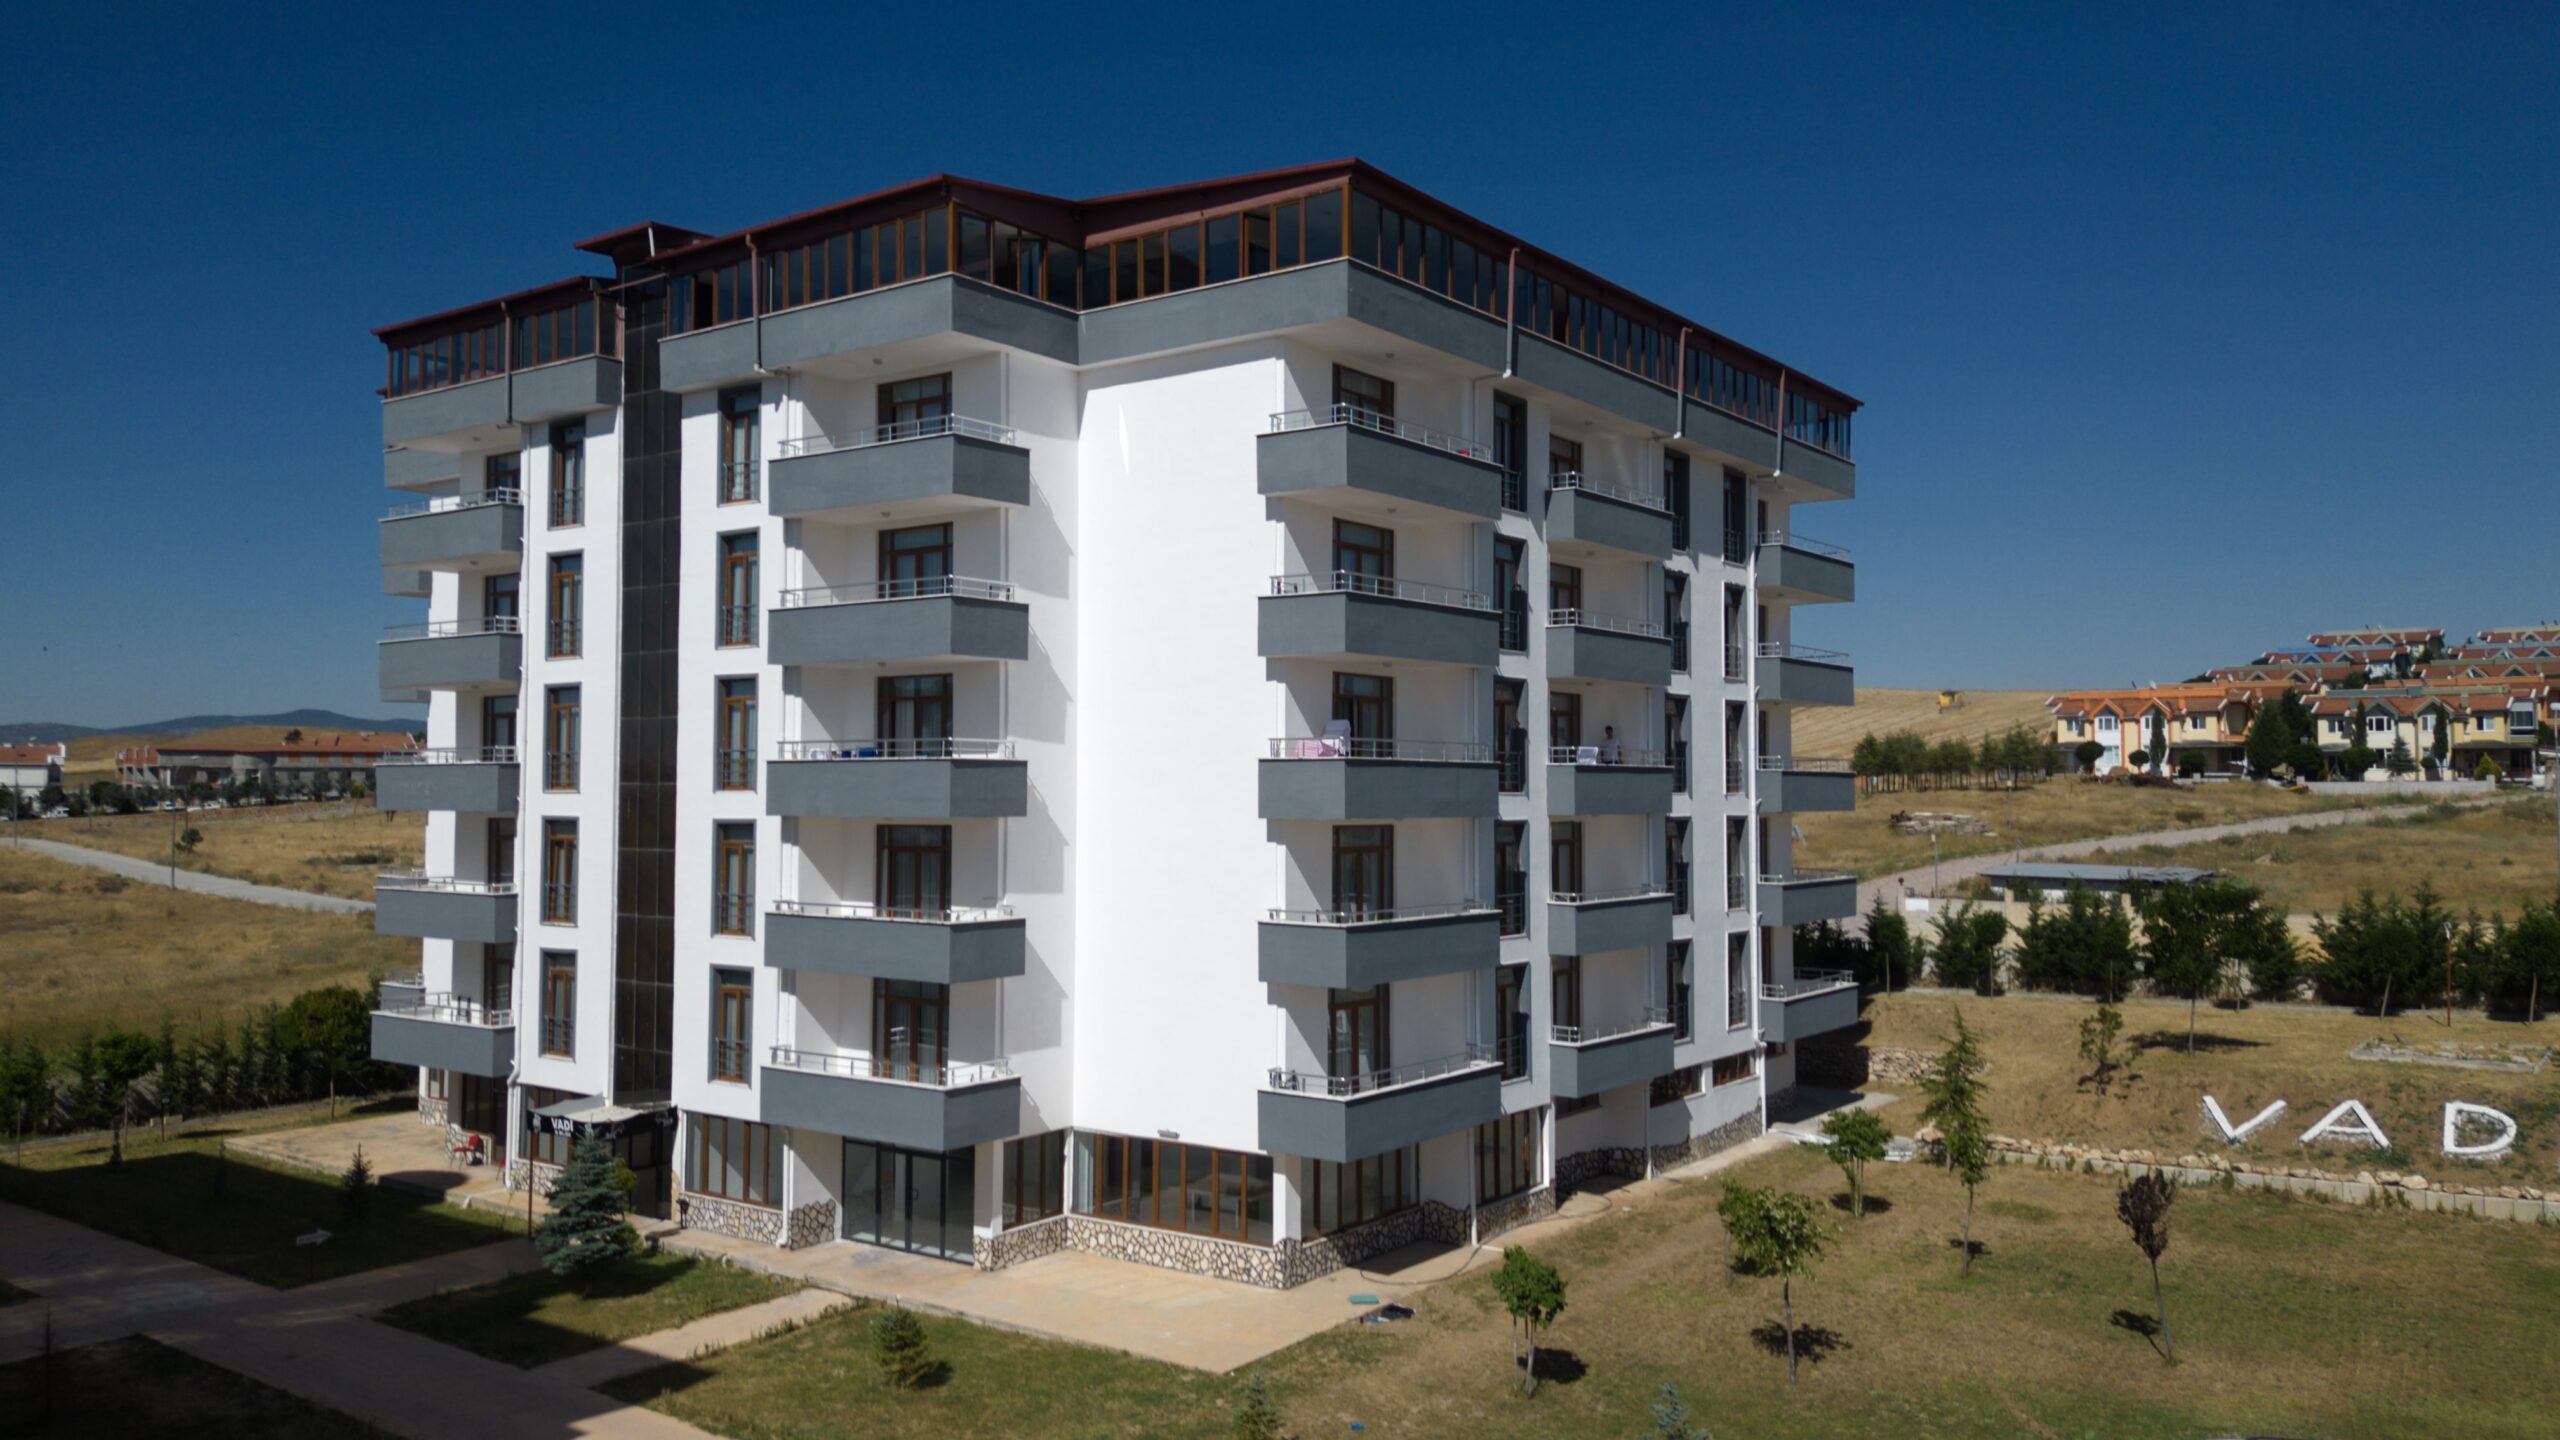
[2490, 860]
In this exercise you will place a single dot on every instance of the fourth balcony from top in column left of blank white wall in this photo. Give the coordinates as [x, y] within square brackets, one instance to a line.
[884, 942]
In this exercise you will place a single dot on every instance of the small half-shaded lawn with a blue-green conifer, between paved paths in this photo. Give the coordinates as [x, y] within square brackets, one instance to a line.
[531, 1321]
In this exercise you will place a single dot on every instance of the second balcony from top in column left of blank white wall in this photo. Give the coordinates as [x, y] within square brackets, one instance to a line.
[946, 619]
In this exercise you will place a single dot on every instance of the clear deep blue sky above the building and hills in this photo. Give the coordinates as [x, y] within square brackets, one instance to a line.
[2180, 332]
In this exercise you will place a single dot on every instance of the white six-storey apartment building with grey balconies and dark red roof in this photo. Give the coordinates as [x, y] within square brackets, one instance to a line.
[1233, 726]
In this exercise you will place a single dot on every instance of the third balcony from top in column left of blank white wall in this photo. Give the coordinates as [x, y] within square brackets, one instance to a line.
[897, 780]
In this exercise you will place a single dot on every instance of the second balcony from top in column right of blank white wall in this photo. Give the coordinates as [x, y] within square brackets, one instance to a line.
[1345, 616]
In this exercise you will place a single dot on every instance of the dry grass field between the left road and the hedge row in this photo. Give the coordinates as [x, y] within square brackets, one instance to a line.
[83, 949]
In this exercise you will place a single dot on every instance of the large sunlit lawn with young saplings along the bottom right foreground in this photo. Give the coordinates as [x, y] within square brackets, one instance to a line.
[2292, 1318]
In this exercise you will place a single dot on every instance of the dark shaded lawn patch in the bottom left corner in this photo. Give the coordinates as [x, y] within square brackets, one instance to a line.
[142, 1390]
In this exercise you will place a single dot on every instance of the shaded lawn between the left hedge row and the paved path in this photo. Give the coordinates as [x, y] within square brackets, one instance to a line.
[237, 1216]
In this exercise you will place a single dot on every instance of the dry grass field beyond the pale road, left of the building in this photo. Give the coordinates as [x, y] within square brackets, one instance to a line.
[324, 847]
